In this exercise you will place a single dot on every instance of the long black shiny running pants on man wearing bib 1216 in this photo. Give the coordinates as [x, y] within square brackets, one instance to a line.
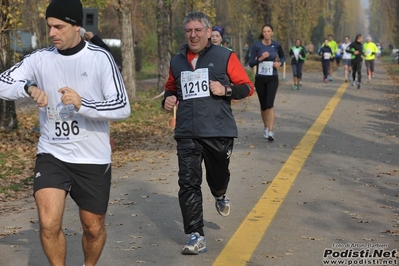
[215, 152]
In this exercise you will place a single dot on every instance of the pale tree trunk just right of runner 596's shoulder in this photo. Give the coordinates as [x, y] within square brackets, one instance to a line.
[127, 48]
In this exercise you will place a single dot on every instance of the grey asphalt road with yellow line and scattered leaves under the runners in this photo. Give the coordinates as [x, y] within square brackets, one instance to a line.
[327, 186]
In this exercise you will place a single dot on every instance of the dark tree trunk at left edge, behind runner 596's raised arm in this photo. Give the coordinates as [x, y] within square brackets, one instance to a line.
[8, 114]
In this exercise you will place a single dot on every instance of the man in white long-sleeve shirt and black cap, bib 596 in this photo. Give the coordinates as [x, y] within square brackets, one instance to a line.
[79, 89]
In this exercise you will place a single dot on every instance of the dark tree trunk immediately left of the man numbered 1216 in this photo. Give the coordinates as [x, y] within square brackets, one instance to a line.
[164, 32]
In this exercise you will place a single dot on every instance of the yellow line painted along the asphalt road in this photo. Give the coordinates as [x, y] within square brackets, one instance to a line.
[245, 240]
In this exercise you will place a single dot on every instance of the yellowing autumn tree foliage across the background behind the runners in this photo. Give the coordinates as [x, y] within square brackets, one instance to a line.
[309, 20]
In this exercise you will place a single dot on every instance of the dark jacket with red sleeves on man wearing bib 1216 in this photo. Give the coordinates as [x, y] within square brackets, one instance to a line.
[208, 116]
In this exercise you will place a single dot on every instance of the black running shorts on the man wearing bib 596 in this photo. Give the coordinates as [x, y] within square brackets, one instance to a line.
[88, 184]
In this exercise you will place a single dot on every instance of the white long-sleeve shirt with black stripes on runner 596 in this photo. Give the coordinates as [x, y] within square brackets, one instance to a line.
[71, 135]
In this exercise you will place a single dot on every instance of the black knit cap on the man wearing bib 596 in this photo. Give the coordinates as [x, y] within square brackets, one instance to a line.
[70, 11]
